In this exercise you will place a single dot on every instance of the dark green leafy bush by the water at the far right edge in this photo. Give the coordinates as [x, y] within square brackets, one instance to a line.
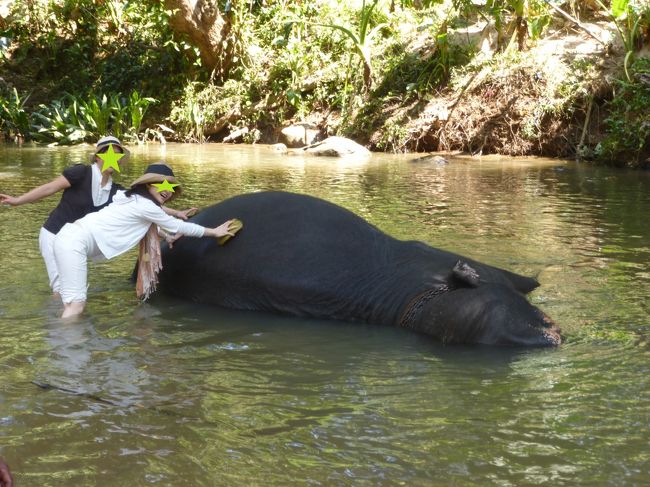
[628, 124]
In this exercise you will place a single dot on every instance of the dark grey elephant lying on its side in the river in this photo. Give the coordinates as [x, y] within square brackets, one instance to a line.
[304, 256]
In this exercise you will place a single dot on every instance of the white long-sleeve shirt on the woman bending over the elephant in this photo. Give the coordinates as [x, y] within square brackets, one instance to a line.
[123, 223]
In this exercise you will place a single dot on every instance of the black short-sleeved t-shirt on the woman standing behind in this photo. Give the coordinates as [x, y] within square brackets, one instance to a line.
[77, 200]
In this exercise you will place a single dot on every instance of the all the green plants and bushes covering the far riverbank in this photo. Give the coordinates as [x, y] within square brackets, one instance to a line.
[367, 66]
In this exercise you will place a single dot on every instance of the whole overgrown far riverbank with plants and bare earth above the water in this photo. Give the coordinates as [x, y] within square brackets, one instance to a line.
[395, 78]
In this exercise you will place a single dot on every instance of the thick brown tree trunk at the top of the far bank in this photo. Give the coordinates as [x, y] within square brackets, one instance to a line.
[207, 28]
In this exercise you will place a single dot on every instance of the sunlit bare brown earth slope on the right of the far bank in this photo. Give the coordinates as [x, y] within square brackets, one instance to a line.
[548, 101]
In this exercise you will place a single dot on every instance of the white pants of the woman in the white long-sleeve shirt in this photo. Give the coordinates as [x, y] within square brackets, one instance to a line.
[72, 247]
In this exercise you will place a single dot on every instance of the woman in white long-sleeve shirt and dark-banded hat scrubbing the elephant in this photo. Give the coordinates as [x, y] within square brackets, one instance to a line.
[131, 218]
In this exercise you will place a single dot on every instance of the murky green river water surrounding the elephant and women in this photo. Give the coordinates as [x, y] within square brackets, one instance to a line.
[200, 396]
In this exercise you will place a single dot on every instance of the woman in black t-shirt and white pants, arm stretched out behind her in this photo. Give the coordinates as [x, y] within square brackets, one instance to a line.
[86, 189]
